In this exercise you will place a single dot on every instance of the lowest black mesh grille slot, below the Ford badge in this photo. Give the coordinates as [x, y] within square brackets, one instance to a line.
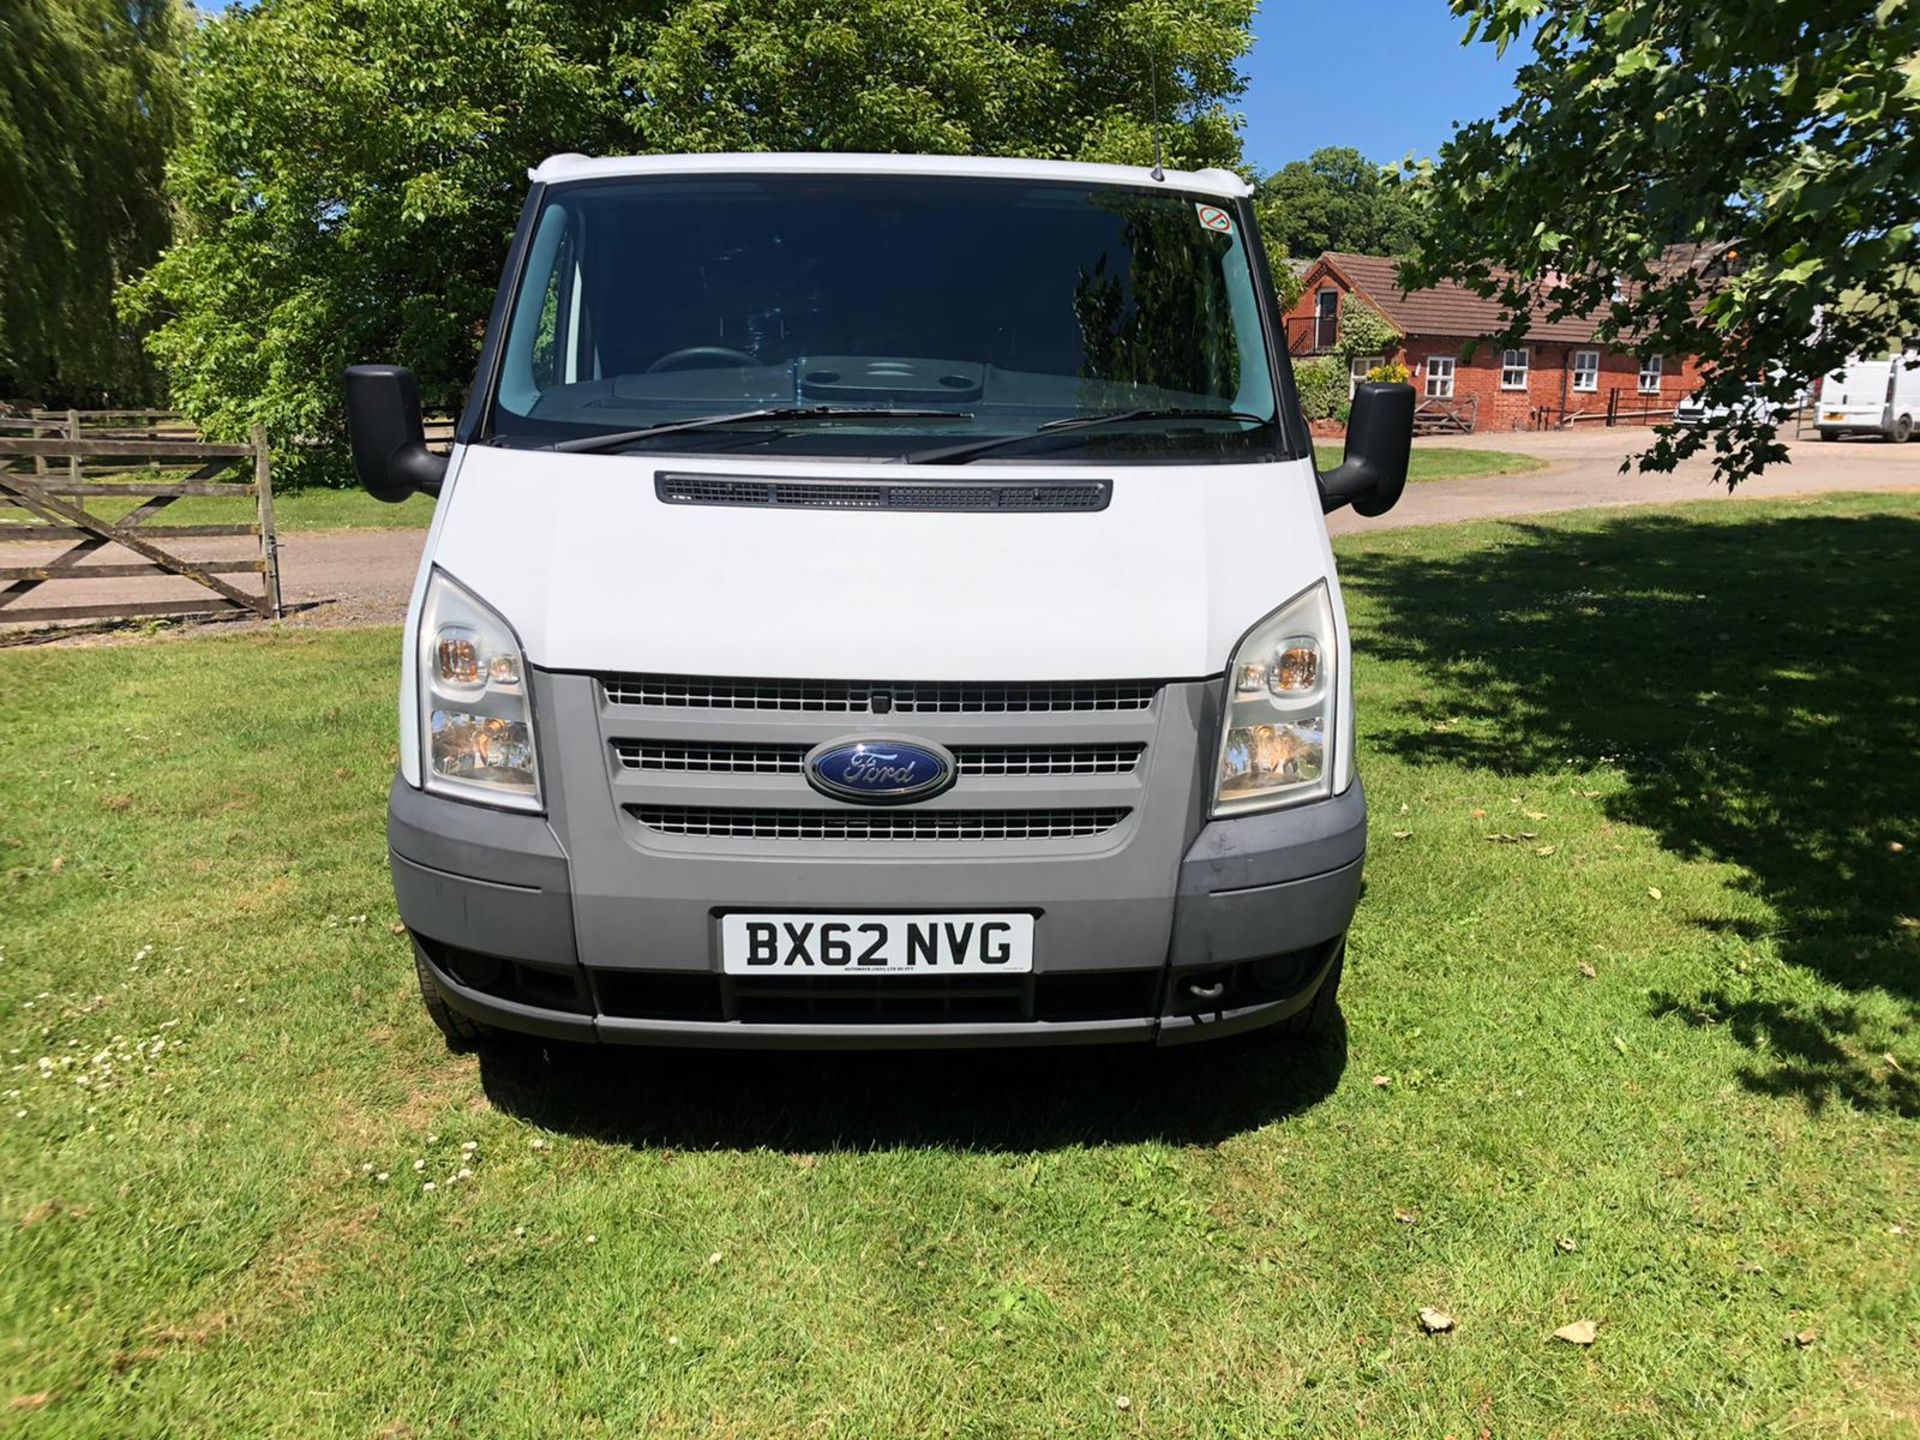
[878, 825]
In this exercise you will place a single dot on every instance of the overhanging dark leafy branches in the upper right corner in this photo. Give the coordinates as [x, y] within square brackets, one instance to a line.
[1735, 180]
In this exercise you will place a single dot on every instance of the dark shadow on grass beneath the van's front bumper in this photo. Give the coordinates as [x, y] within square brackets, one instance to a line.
[994, 1101]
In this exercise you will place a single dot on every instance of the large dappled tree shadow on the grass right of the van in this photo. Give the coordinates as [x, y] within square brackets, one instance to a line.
[1756, 679]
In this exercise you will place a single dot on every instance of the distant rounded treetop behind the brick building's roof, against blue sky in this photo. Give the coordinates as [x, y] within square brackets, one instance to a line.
[1339, 201]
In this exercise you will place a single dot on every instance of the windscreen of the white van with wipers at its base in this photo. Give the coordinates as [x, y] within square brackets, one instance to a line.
[888, 318]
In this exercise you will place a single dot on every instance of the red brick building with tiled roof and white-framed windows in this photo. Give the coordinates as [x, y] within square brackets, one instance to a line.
[1560, 373]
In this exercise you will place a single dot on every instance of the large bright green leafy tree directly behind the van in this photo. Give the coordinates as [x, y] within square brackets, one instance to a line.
[364, 210]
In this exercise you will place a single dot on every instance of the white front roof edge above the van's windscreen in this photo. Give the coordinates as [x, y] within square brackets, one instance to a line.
[558, 170]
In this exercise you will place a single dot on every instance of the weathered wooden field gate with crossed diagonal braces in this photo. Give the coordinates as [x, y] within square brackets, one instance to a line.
[47, 510]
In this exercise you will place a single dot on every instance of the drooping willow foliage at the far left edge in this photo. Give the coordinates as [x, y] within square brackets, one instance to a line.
[89, 105]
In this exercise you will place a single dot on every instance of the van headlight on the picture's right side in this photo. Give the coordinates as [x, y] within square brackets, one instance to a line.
[1276, 742]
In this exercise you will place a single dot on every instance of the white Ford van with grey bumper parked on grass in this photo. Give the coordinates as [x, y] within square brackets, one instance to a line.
[878, 600]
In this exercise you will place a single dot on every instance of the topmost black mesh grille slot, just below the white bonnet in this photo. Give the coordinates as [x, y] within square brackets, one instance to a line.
[894, 698]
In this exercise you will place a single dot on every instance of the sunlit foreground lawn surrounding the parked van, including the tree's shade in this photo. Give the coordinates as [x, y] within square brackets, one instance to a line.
[1631, 1036]
